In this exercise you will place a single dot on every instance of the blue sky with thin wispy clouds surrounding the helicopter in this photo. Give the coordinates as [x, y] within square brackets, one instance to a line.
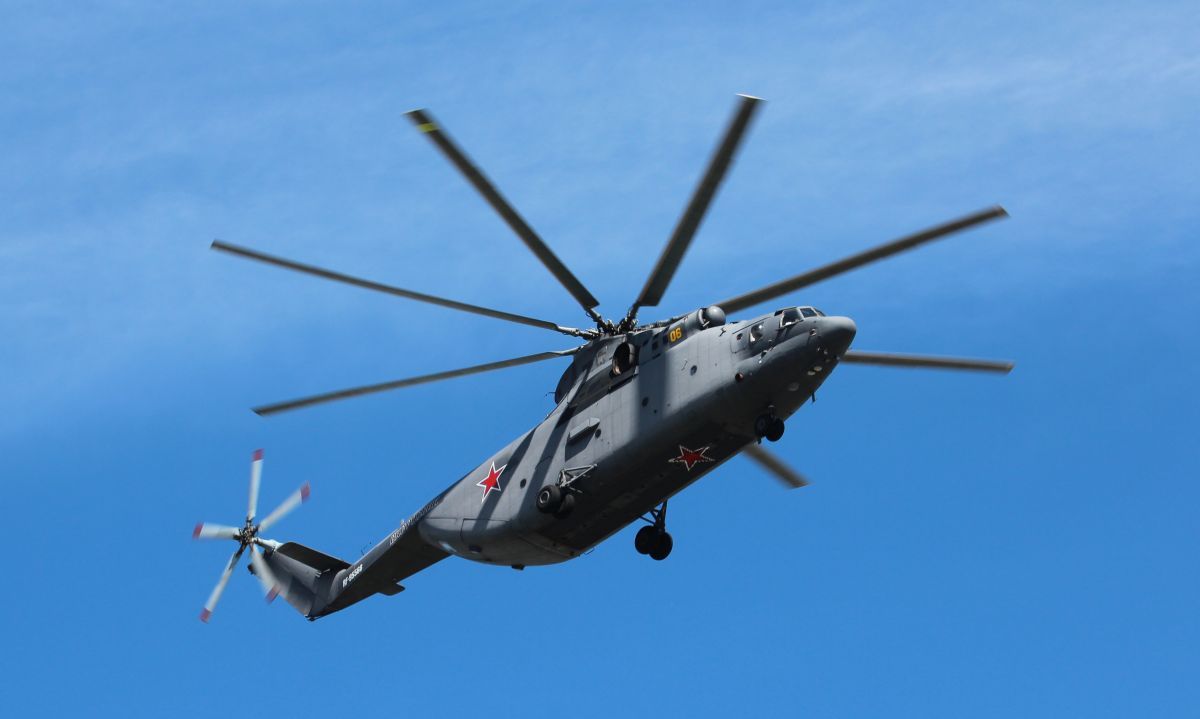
[970, 547]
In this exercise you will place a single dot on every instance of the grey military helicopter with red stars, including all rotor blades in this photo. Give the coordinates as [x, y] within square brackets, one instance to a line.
[643, 411]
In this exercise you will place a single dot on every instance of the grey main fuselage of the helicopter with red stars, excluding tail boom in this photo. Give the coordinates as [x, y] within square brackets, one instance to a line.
[639, 417]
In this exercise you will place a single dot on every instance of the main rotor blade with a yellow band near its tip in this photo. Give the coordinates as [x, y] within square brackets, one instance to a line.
[425, 123]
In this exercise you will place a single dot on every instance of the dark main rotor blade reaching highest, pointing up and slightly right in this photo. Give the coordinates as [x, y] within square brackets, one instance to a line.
[689, 223]
